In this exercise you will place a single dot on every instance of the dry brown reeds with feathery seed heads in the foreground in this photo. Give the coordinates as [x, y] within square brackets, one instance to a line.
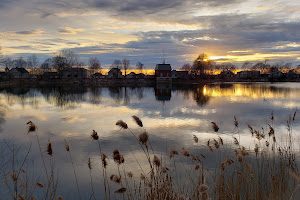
[267, 171]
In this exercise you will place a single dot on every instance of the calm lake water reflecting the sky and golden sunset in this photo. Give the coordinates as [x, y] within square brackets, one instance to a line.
[171, 115]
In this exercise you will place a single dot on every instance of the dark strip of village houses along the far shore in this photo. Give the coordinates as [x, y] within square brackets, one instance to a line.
[163, 72]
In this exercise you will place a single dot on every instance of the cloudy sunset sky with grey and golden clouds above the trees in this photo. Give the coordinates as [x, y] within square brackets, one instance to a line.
[147, 31]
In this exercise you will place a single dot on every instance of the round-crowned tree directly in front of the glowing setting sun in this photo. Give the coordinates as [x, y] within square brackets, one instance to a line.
[202, 63]
